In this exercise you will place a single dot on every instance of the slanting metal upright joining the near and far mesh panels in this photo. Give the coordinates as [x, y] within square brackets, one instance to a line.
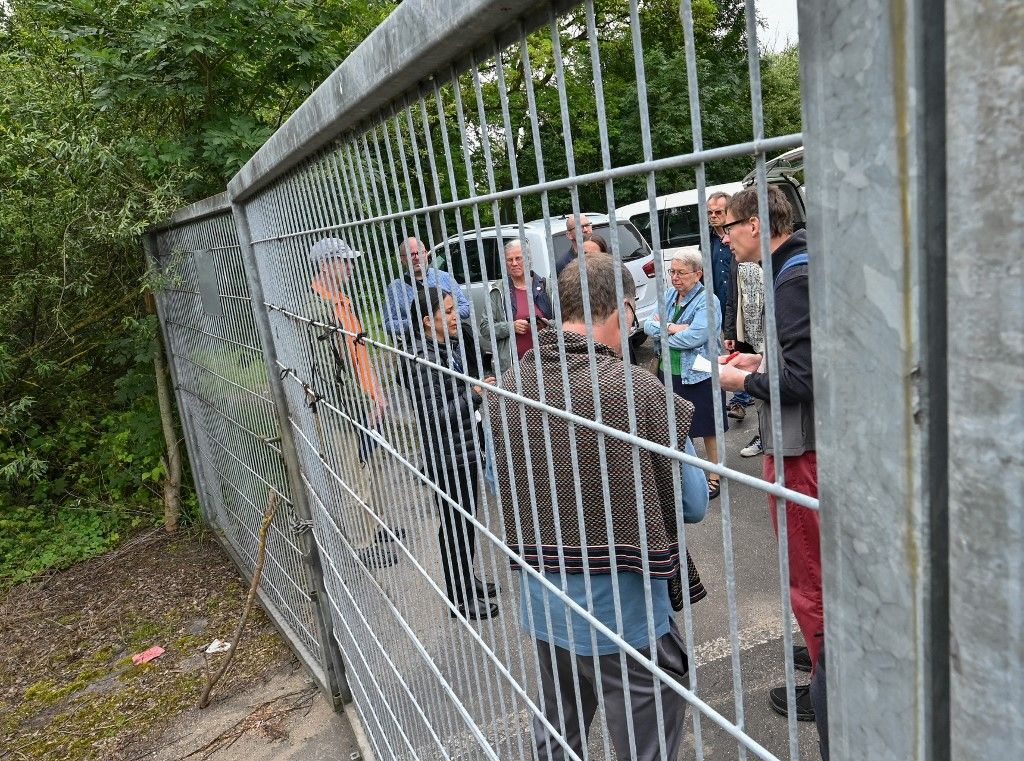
[333, 666]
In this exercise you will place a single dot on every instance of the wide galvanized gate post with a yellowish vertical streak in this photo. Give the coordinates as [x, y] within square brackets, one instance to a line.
[875, 179]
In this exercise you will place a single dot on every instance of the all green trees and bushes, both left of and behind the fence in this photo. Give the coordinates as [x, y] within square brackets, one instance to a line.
[114, 114]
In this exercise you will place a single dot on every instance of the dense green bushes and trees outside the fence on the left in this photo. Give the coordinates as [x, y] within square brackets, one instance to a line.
[112, 115]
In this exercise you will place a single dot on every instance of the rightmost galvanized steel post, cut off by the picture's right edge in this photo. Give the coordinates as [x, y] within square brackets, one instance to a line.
[986, 65]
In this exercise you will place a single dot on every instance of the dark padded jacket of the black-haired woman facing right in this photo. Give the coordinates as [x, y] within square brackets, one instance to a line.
[446, 407]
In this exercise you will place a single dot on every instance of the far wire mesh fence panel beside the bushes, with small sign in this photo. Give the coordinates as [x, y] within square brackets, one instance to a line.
[229, 417]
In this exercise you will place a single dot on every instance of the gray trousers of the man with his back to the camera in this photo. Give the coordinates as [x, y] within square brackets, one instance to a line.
[643, 689]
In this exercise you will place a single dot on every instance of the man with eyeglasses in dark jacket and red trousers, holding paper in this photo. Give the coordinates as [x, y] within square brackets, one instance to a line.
[795, 443]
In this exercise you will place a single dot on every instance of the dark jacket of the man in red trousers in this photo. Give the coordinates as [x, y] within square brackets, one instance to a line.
[793, 327]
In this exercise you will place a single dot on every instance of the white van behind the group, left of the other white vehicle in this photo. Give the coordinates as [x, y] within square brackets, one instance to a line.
[636, 253]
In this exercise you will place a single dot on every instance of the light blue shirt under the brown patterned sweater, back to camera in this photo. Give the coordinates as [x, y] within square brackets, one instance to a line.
[632, 600]
